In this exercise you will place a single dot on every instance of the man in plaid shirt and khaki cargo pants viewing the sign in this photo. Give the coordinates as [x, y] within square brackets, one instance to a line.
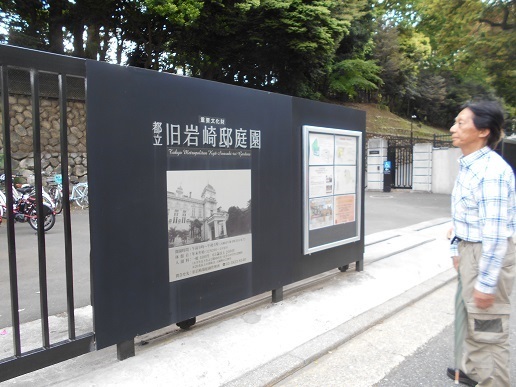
[484, 221]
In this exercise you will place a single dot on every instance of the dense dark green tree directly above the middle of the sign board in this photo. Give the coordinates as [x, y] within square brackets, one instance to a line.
[282, 46]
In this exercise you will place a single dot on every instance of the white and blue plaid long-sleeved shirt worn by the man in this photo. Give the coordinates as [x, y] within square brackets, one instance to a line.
[484, 210]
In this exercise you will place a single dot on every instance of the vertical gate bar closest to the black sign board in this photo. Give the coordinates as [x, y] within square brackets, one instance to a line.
[66, 206]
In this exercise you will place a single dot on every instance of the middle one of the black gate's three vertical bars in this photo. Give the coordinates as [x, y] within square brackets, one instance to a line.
[45, 331]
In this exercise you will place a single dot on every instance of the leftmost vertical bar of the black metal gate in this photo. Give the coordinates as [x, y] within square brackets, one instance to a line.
[11, 241]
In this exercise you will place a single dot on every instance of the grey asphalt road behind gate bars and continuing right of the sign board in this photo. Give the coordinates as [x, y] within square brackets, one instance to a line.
[383, 211]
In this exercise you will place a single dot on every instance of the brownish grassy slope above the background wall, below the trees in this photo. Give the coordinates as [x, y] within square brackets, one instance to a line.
[380, 121]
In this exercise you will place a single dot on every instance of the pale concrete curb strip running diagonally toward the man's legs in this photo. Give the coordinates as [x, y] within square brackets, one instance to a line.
[285, 365]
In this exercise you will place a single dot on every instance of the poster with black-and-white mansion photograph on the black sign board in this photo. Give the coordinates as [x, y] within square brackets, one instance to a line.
[209, 221]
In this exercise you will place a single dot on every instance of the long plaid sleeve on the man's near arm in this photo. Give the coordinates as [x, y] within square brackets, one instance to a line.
[493, 212]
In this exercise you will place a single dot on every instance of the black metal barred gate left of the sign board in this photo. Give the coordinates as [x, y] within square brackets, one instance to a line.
[37, 71]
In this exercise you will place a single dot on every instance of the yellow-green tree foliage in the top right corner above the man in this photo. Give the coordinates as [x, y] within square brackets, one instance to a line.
[475, 39]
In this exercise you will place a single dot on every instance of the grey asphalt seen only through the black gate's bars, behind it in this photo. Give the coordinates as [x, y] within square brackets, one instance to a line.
[26, 241]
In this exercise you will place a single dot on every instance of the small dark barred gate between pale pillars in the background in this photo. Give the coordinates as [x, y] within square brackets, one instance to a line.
[400, 155]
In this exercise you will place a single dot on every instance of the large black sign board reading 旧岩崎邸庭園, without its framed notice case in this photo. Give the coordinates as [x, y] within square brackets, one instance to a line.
[196, 196]
